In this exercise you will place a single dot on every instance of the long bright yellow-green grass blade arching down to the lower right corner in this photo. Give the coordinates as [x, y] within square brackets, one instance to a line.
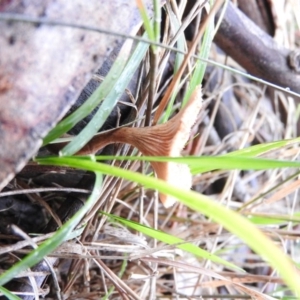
[231, 220]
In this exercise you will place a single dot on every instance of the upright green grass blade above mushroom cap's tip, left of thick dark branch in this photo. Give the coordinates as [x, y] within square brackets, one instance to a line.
[200, 67]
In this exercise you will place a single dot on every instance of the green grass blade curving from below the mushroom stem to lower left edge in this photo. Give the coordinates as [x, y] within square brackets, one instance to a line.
[57, 239]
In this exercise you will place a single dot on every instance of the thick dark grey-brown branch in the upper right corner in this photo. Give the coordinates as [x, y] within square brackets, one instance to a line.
[255, 50]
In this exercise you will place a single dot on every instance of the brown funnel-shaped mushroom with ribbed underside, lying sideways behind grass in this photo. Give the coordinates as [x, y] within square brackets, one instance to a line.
[166, 139]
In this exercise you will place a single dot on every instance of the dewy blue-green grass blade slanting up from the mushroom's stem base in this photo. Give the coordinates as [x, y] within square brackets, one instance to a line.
[109, 103]
